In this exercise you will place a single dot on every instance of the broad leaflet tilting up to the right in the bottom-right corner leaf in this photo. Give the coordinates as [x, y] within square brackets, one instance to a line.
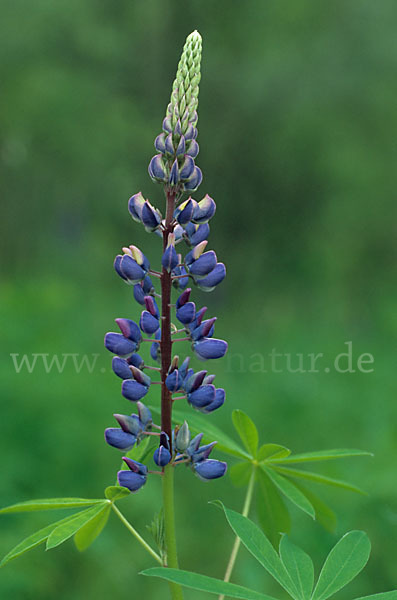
[345, 561]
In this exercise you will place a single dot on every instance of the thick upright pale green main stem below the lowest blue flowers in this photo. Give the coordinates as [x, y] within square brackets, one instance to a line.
[169, 525]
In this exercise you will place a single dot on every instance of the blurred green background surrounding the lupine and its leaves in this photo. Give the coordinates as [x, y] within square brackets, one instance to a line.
[297, 136]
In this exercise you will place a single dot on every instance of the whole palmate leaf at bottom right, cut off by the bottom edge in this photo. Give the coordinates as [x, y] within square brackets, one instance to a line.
[292, 568]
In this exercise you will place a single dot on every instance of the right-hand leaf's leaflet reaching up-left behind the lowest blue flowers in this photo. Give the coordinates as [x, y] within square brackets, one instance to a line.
[199, 424]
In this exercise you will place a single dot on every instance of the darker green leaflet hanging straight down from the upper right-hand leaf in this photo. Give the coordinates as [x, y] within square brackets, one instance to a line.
[272, 513]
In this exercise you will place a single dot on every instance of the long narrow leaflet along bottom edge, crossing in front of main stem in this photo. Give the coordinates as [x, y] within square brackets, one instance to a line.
[205, 584]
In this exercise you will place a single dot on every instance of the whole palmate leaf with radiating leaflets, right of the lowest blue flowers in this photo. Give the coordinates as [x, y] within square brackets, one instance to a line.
[276, 480]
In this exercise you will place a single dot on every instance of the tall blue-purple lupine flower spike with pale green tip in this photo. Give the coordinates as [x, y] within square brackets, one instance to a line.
[185, 221]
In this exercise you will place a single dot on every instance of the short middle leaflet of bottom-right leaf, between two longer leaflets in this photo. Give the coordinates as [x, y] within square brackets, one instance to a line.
[299, 566]
